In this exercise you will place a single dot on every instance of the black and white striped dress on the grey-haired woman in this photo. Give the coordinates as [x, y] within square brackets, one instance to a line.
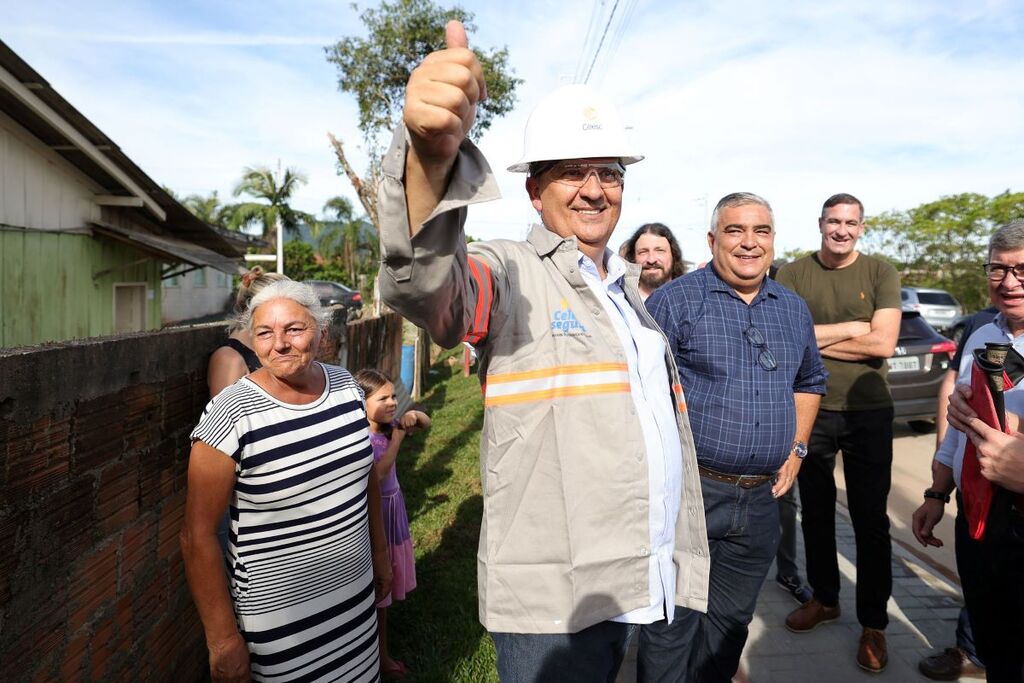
[302, 576]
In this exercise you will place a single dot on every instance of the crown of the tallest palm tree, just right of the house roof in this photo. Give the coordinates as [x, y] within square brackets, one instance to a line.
[275, 192]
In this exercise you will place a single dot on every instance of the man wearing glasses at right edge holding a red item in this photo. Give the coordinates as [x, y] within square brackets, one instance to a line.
[992, 570]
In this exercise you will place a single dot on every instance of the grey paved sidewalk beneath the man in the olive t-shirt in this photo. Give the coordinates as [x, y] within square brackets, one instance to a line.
[923, 614]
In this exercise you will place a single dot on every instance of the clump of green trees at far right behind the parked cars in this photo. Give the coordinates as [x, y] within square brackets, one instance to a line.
[944, 244]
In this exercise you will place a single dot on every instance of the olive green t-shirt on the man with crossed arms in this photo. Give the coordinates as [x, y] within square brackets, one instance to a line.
[841, 295]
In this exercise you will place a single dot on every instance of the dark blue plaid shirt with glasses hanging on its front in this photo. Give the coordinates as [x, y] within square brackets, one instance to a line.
[743, 415]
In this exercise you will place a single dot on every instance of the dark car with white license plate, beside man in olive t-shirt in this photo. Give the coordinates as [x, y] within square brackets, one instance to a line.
[916, 371]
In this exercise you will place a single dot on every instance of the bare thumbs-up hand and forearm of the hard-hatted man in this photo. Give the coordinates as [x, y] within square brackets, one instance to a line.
[441, 107]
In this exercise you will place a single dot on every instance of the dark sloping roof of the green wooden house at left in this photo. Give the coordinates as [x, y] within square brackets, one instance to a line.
[30, 101]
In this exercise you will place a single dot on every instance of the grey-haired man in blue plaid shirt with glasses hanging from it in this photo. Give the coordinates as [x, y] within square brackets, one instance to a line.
[750, 366]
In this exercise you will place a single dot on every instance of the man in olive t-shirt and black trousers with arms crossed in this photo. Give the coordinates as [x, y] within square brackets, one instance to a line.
[856, 303]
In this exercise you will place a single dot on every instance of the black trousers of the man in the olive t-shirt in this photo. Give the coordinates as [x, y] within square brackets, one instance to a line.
[866, 438]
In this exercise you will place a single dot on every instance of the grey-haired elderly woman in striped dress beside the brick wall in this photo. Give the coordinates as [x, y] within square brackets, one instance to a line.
[288, 449]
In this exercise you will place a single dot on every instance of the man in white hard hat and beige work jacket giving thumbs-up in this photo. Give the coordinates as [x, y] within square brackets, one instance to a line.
[593, 524]
